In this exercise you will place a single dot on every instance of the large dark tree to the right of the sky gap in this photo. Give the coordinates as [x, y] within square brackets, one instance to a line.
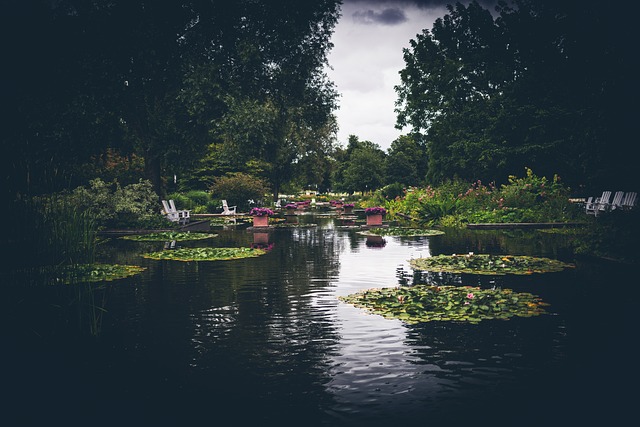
[542, 85]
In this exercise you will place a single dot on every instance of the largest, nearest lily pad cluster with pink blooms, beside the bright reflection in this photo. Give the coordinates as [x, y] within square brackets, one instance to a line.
[427, 303]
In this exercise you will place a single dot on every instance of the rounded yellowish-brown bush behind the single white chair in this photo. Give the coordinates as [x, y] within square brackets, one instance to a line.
[238, 188]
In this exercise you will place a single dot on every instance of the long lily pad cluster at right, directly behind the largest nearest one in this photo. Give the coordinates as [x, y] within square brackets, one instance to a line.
[488, 264]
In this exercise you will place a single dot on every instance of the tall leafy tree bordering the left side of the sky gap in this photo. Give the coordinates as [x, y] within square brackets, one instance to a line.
[287, 115]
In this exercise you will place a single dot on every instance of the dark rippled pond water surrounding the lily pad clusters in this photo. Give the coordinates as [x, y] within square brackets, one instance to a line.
[265, 340]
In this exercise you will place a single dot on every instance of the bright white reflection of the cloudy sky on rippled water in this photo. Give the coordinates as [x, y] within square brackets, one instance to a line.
[372, 357]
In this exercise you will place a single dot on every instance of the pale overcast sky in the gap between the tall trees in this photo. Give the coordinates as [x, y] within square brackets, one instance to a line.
[366, 59]
